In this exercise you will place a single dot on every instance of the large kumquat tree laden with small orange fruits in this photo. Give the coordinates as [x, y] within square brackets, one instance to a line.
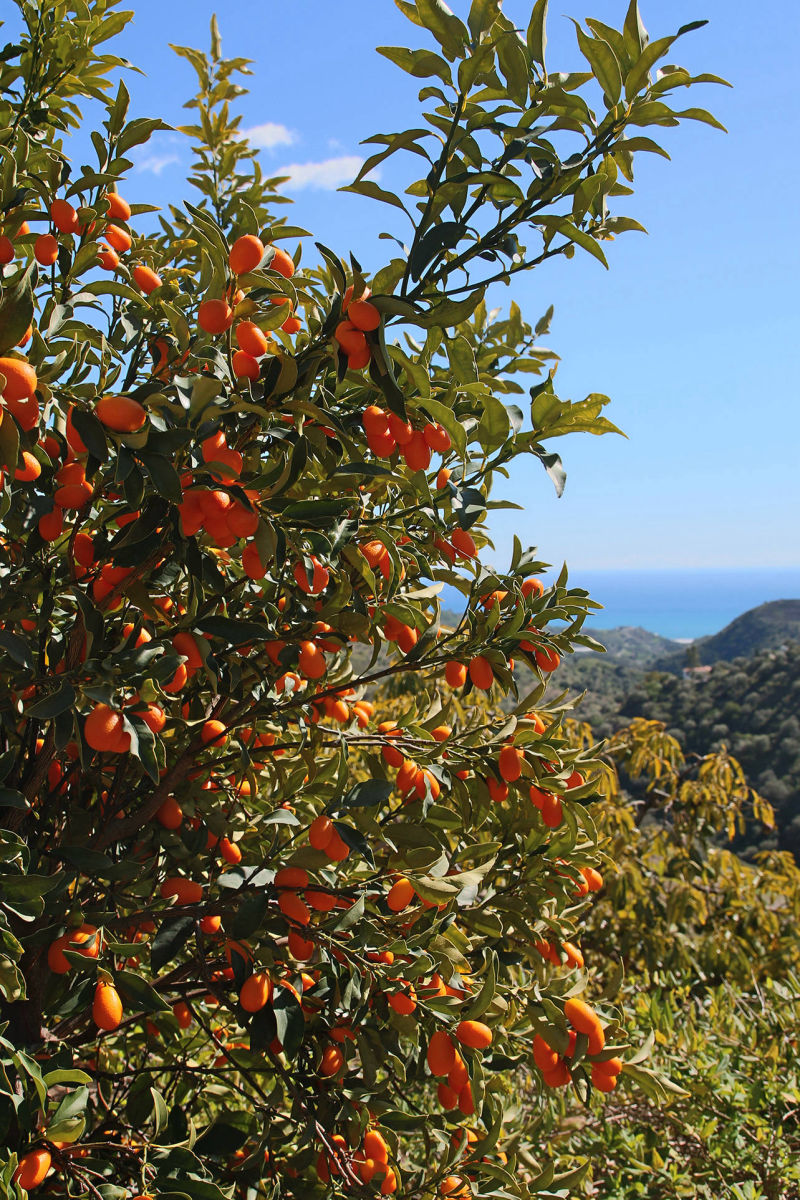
[293, 877]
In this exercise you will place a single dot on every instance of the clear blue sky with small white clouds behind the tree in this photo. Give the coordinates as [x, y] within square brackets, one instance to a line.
[694, 332]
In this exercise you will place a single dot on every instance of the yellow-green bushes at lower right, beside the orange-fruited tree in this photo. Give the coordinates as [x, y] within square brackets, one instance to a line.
[705, 947]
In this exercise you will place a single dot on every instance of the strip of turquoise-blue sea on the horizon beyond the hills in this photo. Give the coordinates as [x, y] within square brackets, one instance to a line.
[679, 603]
